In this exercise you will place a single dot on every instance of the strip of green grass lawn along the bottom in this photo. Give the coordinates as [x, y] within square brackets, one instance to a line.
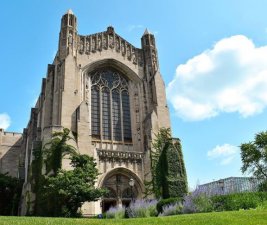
[238, 218]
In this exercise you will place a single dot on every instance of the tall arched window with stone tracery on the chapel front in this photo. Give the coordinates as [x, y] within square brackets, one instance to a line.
[110, 106]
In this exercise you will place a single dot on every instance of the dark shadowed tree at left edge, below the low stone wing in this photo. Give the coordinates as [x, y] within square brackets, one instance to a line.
[10, 192]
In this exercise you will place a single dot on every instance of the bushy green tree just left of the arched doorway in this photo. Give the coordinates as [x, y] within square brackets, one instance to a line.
[73, 188]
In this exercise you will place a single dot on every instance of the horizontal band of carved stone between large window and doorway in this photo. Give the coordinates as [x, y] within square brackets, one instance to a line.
[120, 156]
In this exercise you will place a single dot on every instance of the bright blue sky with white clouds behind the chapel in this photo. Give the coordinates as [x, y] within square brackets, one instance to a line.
[213, 59]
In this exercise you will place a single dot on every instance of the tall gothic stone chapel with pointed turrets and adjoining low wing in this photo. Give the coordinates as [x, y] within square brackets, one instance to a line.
[108, 92]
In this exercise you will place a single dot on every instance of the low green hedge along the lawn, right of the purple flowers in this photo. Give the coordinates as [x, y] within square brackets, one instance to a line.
[239, 201]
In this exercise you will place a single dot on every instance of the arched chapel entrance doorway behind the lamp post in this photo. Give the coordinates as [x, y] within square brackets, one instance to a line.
[117, 182]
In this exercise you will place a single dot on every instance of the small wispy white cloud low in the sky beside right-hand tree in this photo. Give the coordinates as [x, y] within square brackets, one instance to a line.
[226, 153]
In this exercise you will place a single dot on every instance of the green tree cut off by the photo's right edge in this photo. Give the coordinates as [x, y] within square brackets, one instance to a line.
[254, 156]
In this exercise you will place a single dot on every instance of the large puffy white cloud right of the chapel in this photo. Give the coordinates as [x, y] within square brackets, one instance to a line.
[231, 77]
